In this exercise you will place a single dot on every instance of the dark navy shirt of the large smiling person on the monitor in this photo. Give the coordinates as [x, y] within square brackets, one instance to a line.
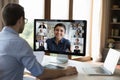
[64, 45]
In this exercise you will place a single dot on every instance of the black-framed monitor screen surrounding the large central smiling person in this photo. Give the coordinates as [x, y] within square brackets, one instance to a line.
[75, 33]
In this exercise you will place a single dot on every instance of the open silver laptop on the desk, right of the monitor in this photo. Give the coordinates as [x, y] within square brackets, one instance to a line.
[108, 67]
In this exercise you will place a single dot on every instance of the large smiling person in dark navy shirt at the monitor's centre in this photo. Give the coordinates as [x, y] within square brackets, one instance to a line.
[59, 43]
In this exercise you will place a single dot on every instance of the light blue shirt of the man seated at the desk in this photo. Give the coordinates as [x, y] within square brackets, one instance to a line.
[15, 55]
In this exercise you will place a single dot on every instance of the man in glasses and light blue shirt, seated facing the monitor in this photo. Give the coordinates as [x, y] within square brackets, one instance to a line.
[16, 54]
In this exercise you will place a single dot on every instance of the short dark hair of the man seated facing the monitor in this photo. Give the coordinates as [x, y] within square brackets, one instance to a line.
[11, 13]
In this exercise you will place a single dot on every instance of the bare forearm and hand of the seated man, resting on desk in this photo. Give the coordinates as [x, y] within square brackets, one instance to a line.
[49, 74]
